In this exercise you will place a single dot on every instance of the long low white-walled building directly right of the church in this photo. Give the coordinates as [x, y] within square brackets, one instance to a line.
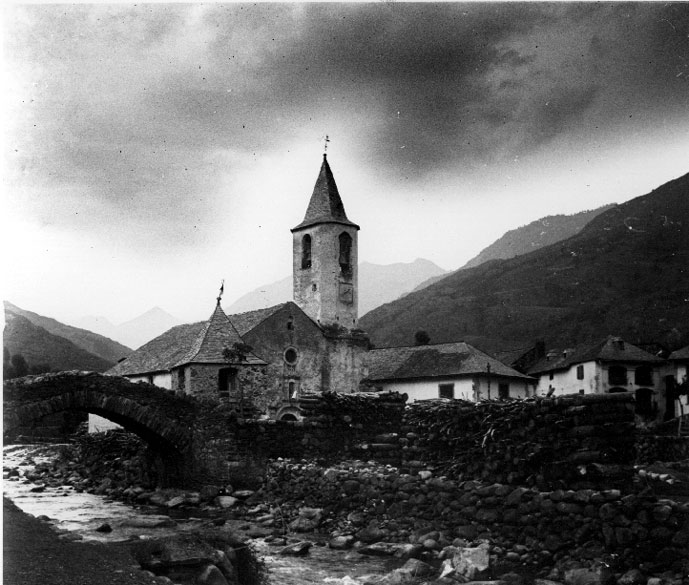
[444, 370]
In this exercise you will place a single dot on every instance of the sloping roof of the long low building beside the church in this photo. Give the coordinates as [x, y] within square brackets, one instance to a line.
[433, 361]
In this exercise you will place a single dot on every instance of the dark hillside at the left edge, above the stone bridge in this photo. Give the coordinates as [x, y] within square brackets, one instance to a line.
[39, 346]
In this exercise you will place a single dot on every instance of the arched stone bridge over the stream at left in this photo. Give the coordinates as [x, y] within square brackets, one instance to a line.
[194, 441]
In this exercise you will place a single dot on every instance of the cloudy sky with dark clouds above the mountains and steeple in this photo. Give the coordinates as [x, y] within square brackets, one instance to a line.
[152, 150]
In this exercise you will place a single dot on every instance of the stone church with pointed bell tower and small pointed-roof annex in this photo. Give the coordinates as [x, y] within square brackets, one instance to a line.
[264, 360]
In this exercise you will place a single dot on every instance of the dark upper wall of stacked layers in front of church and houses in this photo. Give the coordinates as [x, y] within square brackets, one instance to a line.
[578, 441]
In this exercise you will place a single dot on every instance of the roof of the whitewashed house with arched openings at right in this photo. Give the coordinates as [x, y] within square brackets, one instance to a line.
[611, 349]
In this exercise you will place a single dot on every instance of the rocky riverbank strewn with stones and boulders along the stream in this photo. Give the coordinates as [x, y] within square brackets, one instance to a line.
[439, 531]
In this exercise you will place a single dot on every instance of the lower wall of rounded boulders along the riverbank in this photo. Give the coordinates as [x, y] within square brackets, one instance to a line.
[527, 525]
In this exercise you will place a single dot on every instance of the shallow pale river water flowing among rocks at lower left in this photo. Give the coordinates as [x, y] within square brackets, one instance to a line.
[80, 514]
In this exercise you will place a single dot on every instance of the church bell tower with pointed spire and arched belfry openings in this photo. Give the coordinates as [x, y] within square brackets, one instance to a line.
[325, 257]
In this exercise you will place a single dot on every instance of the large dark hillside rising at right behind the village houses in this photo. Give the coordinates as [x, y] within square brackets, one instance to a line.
[626, 273]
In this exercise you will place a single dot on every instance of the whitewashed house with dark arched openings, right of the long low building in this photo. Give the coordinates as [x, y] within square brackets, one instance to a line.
[611, 365]
